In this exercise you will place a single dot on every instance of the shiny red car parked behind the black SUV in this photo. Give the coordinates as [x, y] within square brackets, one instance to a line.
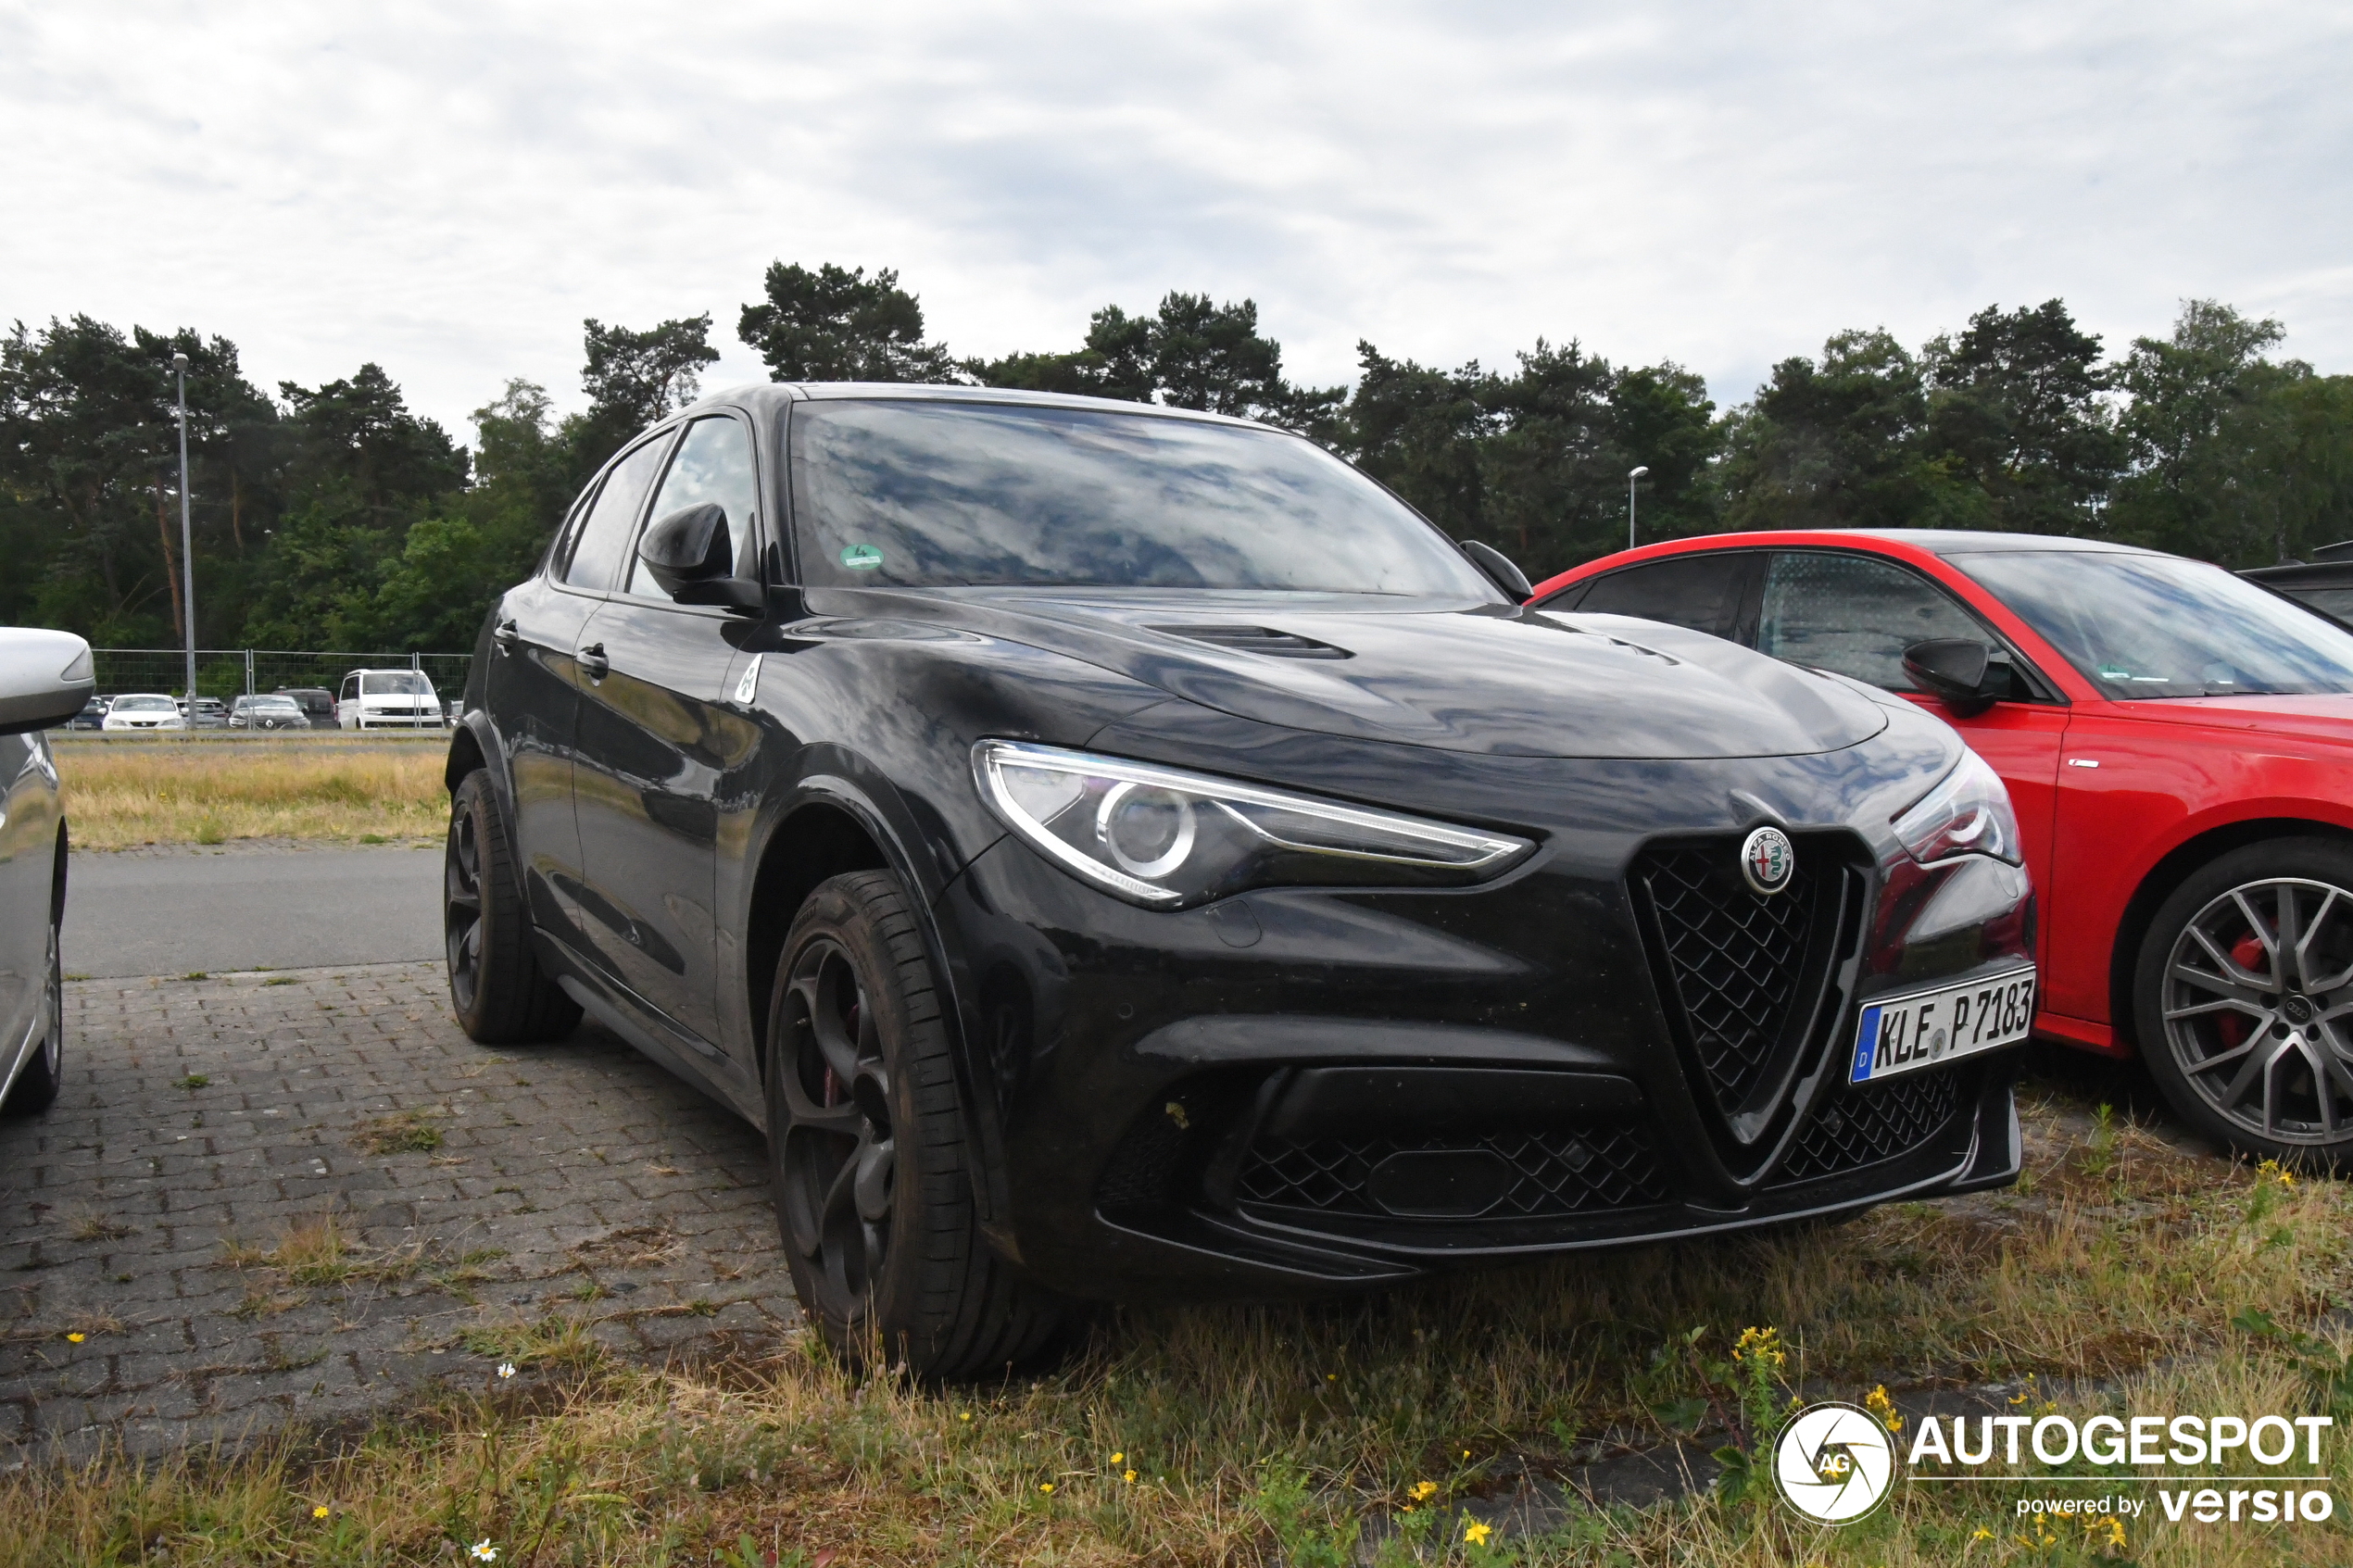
[2180, 753]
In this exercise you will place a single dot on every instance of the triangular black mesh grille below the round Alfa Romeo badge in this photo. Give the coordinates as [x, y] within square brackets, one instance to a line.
[1738, 960]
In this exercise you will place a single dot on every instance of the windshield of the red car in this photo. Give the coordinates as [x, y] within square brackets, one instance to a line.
[2161, 626]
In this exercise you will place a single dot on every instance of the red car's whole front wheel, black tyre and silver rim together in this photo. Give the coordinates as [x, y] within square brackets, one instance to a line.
[2248, 1036]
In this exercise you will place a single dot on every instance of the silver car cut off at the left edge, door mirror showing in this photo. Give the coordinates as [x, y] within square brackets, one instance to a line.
[44, 683]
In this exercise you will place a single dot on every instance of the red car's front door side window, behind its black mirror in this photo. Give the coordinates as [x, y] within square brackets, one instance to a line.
[1855, 615]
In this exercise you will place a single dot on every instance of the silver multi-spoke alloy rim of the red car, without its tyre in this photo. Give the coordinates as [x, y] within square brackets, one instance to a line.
[2258, 1010]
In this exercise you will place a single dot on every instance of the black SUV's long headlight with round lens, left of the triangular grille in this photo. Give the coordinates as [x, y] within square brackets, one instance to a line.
[1171, 840]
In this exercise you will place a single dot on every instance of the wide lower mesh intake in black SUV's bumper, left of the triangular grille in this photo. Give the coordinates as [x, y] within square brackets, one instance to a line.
[1552, 1174]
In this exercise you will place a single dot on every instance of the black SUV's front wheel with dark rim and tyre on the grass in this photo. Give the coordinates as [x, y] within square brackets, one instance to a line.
[867, 1151]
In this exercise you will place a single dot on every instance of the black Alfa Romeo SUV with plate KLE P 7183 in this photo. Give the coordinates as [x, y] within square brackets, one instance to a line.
[1124, 852]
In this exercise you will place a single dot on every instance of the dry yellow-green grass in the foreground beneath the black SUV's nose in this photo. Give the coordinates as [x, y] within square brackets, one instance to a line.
[1302, 1433]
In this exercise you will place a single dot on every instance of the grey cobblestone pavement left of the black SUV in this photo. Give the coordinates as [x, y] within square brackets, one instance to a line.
[302, 1198]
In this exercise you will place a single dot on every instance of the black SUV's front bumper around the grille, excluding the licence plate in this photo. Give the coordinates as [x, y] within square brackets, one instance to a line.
[1314, 1090]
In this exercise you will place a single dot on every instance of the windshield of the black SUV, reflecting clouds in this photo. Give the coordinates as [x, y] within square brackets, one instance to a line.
[933, 495]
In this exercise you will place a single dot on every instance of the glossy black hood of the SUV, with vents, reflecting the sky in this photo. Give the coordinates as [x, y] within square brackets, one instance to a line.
[1453, 676]
